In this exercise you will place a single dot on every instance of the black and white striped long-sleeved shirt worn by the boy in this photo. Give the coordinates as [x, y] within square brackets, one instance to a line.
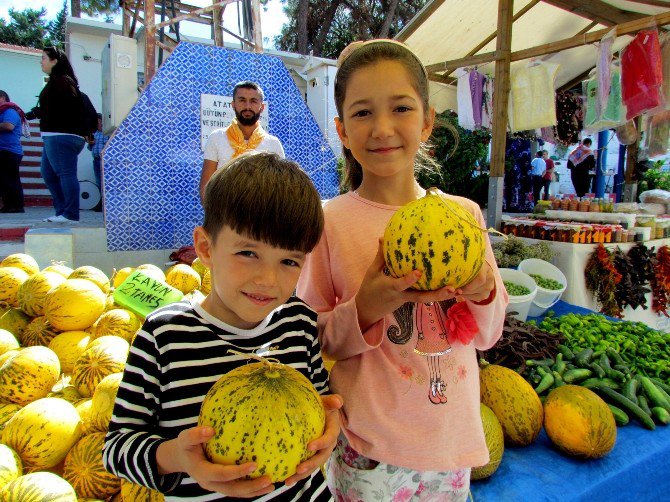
[179, 353]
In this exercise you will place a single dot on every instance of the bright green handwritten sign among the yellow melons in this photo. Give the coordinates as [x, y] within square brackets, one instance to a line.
[143, 294]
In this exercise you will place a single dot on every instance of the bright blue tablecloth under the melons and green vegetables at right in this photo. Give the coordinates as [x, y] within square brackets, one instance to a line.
[637, 469]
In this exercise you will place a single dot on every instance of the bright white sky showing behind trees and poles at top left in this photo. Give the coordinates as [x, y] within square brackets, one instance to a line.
[271, 20]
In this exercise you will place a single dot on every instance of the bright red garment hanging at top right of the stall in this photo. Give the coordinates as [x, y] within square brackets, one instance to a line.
[641, 74]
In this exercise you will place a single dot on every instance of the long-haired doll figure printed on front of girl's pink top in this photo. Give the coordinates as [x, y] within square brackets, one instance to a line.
[429, 322]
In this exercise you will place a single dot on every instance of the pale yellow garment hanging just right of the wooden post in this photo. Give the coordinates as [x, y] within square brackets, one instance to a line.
[532, 96]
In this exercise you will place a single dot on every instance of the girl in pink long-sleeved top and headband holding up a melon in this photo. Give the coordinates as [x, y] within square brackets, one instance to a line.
[406, 361]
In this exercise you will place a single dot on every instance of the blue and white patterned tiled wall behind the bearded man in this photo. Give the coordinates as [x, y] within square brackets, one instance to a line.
[152, 164]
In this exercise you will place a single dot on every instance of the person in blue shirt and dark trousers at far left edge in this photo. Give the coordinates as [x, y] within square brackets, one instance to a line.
[12, 123]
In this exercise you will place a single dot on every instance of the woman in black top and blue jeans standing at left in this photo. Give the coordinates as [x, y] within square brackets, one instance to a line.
[63, 128]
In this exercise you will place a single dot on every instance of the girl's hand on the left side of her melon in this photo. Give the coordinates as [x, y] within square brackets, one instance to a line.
[381, 294]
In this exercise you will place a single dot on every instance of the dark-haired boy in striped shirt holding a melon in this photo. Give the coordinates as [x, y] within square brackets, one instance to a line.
[262, 216]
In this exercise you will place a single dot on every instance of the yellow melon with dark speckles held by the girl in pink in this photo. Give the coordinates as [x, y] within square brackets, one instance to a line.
[437, 236]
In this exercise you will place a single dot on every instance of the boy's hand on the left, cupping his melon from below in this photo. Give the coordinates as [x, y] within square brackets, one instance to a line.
[186, 454]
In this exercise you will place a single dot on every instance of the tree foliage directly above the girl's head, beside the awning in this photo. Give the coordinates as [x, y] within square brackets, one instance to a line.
[325, 28]
